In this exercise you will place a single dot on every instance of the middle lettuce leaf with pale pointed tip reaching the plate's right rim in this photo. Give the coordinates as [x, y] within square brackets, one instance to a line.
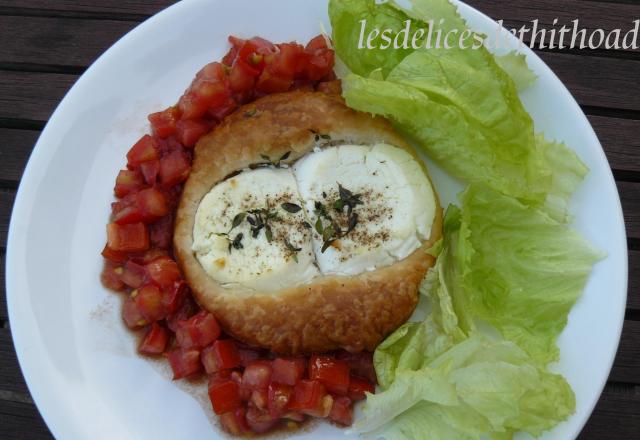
[526, 272]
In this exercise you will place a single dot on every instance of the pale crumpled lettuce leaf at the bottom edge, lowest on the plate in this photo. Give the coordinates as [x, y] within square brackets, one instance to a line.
[462, 390]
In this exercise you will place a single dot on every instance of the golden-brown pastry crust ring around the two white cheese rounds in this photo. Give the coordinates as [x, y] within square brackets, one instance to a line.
[351, 312]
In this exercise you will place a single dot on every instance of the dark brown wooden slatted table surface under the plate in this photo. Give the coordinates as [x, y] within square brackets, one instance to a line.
[46, 44]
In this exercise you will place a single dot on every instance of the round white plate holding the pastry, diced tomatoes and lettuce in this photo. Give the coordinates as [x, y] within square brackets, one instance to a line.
[80, 362]
